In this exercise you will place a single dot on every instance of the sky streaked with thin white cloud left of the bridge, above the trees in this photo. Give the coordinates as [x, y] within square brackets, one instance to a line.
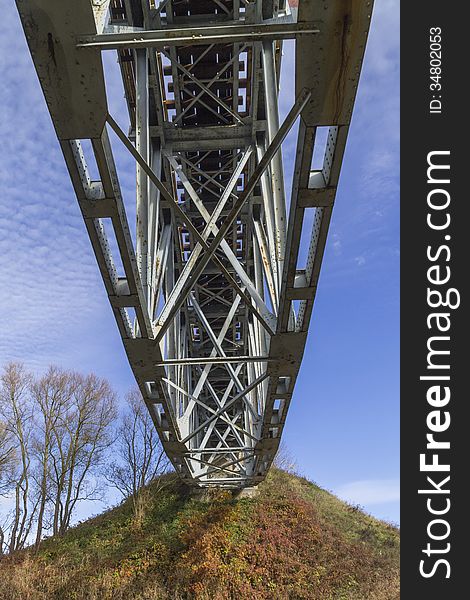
[53, 302]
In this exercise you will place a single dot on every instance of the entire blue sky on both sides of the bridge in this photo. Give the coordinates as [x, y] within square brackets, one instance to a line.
[343, 424]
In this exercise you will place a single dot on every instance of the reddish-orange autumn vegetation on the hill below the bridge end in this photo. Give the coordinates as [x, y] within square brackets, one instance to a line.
[279, 549]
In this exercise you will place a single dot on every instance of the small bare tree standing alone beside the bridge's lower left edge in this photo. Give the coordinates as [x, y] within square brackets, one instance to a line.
[140, 457]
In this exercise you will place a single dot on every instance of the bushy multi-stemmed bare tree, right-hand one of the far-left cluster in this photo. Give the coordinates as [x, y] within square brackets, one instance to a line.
[81, 435]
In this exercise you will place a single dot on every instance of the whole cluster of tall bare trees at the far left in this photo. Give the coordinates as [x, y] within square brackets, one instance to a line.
[54, 434]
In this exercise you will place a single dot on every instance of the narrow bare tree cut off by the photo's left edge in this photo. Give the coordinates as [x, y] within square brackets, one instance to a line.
[16, 415]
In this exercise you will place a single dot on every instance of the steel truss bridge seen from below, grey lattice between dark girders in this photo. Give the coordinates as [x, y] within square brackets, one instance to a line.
[211, 298]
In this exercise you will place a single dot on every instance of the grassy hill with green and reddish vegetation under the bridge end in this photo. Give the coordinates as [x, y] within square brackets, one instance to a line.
[293, 541]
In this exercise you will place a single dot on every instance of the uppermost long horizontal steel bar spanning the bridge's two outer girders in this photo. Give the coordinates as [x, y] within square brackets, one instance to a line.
[190, 36]
